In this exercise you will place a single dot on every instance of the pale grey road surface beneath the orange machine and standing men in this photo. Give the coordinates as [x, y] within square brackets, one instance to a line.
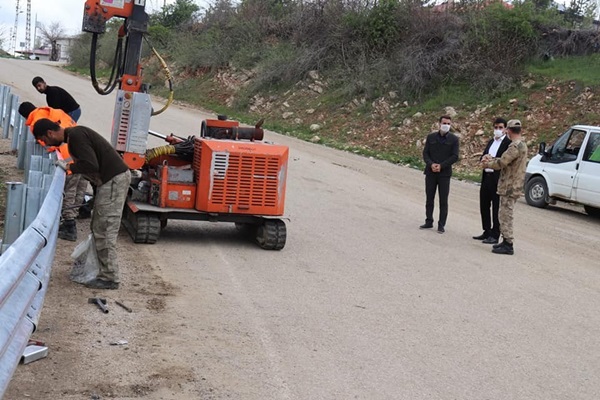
[361, 304]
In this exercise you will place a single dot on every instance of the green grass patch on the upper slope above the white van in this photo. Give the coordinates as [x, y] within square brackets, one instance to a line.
[583, 69]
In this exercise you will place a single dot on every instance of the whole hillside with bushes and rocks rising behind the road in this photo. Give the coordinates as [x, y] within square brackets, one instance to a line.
[373, 77]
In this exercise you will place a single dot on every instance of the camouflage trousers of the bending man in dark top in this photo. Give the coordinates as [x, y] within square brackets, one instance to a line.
[106, 220]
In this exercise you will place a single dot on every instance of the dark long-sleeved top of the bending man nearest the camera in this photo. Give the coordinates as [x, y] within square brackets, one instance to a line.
[93, 156]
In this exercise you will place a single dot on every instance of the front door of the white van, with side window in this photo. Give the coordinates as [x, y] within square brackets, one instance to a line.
[562, 162]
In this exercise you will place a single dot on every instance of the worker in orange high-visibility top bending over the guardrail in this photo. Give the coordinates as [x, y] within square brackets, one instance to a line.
[75, 184]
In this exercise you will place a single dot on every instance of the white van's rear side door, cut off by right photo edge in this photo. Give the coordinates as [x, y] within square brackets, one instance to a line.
[586, 188]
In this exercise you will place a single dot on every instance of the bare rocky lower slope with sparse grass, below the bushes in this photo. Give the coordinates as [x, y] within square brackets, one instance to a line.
[553, 95]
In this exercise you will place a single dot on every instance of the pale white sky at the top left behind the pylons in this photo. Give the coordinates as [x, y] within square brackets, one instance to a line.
[68, 12]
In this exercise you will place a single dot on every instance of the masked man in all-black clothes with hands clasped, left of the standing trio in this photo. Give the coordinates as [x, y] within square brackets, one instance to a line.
[440, 152]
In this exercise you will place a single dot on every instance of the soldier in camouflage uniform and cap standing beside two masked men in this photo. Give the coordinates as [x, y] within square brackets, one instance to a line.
[512, 165]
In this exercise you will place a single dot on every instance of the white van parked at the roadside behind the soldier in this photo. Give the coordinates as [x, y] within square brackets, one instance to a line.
[569, 170]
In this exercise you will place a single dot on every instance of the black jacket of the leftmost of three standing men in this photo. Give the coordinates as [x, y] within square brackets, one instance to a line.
[439, 150]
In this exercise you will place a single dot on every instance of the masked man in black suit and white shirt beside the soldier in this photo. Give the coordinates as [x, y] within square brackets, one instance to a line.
[488, 196]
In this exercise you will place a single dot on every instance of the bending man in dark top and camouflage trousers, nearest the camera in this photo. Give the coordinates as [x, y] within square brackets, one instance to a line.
[95, 158]
